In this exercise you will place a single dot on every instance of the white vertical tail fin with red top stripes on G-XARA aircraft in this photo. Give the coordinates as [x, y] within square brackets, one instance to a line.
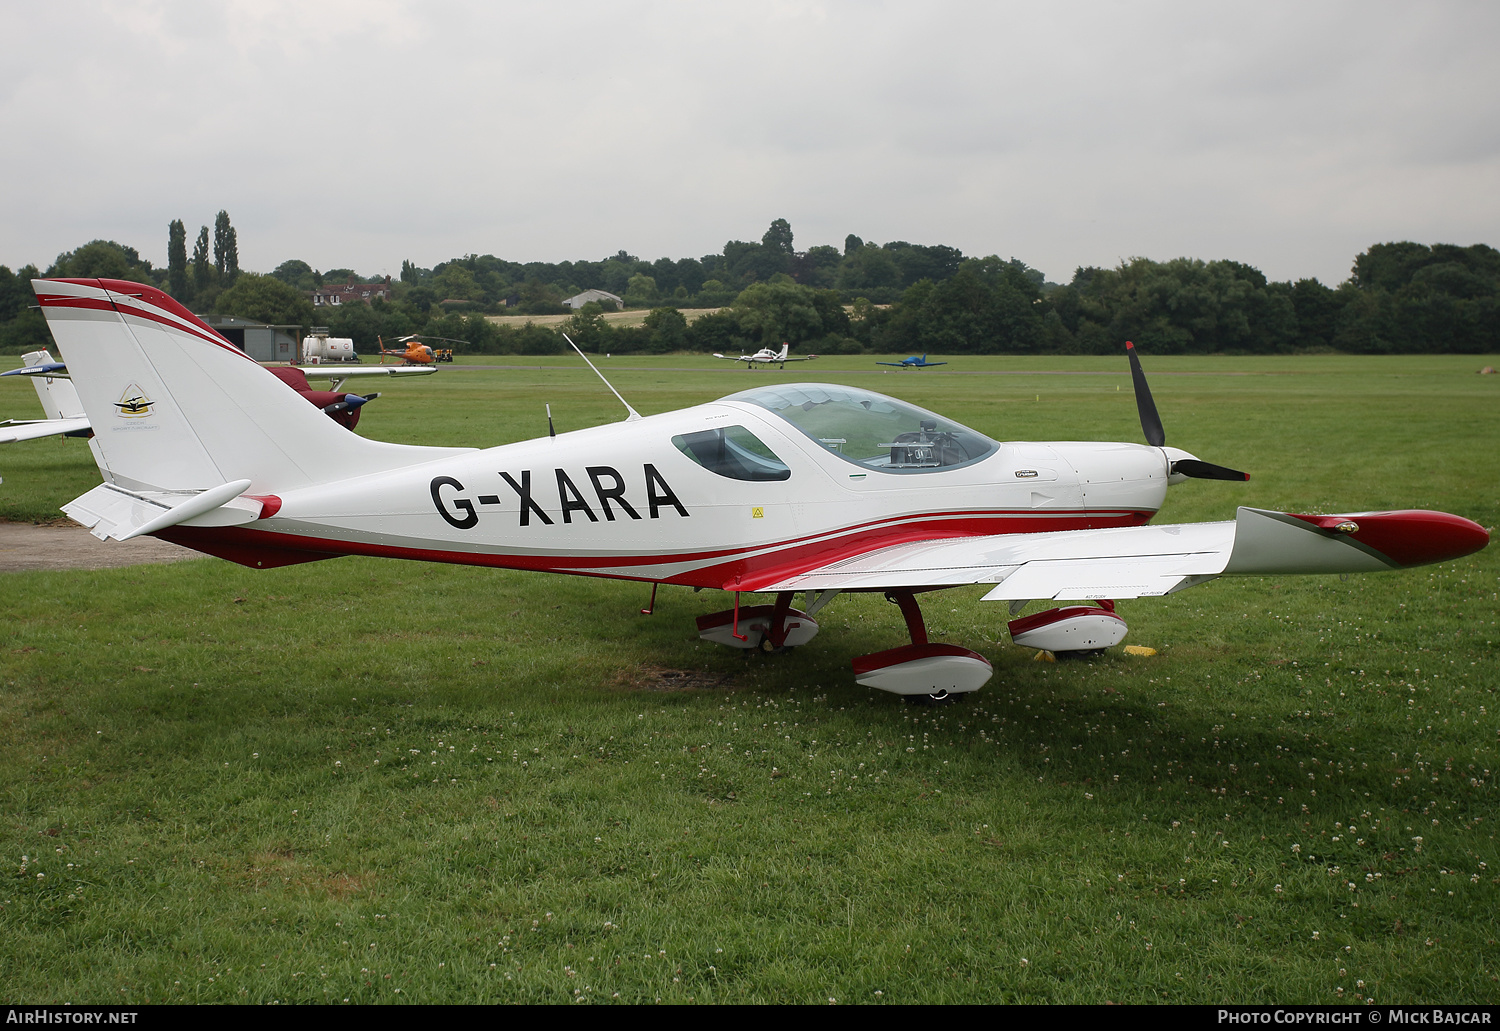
[176, 407]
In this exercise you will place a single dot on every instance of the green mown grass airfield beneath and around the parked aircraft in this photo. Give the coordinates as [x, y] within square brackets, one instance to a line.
[379, 781]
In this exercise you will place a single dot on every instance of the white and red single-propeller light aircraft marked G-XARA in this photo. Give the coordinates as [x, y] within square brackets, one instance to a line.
[779, 490]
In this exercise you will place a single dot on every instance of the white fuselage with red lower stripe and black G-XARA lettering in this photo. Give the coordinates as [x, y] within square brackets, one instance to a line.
[631, 500]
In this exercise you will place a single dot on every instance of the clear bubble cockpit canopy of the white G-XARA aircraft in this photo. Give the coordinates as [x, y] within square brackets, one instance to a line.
[871, 430]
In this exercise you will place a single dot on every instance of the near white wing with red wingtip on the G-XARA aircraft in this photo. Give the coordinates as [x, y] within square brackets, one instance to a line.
[1151, 561]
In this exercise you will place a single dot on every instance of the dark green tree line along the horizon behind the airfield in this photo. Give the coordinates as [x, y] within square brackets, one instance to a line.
[865, 298]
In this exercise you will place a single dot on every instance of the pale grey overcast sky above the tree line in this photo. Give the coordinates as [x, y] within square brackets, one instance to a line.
[1286, 136]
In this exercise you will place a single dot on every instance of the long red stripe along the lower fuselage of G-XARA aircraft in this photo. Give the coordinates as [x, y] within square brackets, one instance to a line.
[752, 571]
